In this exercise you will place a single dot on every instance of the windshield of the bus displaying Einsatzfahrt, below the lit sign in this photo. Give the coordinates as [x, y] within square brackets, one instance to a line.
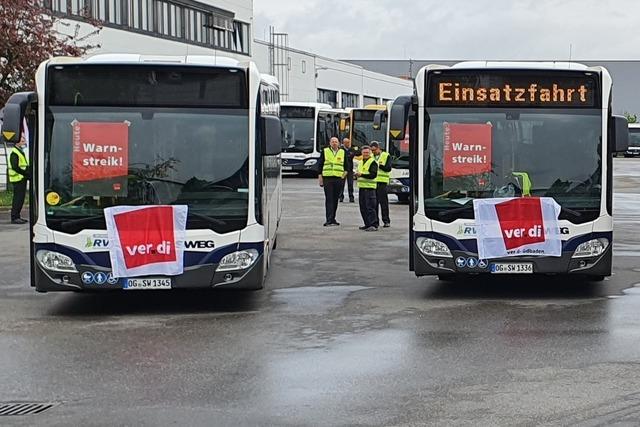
[495, 153]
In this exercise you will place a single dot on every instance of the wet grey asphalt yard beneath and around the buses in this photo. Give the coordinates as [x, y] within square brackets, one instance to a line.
[343, 334]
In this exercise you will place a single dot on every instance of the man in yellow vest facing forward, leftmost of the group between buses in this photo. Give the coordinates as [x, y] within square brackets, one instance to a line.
[333, 165]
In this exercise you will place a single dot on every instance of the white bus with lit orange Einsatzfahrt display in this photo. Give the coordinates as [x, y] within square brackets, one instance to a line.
[520, 129]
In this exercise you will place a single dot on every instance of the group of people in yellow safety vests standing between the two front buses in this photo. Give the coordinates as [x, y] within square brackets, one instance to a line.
[336, 168]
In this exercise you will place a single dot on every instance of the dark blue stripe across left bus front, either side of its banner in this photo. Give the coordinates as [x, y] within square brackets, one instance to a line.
[191, 259]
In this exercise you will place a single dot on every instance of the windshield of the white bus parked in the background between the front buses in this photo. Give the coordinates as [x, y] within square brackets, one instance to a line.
[298, 126]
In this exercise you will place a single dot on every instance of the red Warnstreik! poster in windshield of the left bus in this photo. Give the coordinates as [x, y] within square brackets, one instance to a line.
[100, 158]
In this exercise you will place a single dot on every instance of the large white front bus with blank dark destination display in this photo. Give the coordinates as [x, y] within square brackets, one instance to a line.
[197, 131]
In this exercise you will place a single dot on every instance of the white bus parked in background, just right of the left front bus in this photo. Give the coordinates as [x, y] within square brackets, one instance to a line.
[307, 128]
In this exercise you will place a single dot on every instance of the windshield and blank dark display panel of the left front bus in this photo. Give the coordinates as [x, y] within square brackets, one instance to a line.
[146, 136]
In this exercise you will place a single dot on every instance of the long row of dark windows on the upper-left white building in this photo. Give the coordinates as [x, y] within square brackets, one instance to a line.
[183, 20]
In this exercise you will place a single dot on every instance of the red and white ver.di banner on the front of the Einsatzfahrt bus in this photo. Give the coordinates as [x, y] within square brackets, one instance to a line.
[526, 226]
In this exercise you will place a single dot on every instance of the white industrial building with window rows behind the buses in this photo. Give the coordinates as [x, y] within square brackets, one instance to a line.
[225, 27]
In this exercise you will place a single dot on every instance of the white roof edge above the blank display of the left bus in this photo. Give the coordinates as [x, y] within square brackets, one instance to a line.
[129, 58]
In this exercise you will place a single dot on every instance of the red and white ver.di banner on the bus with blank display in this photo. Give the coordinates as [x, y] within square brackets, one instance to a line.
[146, 240]
